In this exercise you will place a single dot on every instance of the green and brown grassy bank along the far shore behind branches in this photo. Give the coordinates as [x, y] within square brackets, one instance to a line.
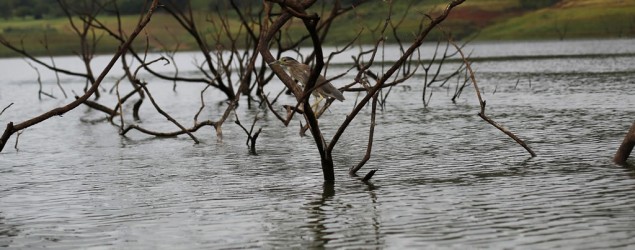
[483, 19]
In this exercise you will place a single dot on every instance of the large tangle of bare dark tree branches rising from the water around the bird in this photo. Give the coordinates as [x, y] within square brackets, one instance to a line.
[238, 43]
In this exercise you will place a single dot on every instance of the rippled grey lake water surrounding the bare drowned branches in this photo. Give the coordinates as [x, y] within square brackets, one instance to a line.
[446, 178]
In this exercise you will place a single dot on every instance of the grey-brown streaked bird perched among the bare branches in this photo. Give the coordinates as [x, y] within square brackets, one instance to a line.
[301, 72]
